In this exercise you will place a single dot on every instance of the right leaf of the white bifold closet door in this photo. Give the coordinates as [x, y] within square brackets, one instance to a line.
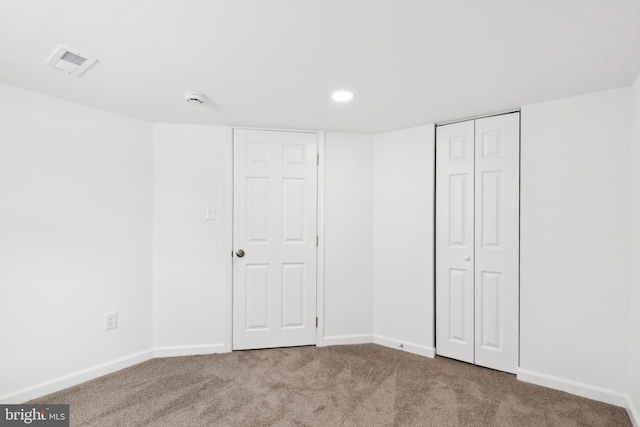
[497, 194]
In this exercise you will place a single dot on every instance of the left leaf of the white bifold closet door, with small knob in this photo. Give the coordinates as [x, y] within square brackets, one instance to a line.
[455, 241]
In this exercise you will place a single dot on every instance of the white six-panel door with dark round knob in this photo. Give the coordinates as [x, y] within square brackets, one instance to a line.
[274, 235]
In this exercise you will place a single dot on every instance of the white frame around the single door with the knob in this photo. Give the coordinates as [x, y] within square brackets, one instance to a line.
[228, 232]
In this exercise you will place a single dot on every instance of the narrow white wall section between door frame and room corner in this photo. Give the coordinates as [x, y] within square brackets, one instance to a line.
[348, 238]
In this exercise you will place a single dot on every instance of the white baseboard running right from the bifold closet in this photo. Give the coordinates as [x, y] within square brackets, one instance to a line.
[574, 387]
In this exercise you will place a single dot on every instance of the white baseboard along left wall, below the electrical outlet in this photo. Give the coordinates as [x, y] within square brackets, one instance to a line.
[60, 383]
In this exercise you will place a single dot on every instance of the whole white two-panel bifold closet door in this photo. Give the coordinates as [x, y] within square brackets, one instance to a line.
[477, 240]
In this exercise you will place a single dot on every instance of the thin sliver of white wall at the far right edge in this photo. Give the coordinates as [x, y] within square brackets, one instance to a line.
[633, 375]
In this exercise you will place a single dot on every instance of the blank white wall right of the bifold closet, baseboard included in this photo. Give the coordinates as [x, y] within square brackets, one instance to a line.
[574, 239]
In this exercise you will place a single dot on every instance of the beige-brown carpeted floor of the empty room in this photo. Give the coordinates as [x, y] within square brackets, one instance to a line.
[357, 385]
